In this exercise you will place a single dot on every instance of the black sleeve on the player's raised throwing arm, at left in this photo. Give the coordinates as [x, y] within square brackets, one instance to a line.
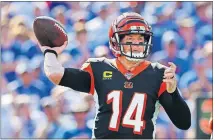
[76, 79]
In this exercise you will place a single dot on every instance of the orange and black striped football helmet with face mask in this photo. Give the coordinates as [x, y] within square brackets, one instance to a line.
[129, 23]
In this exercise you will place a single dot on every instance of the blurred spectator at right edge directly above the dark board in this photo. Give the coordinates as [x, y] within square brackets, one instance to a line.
[197, 82]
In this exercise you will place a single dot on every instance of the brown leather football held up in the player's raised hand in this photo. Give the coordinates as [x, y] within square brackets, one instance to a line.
[49, 32]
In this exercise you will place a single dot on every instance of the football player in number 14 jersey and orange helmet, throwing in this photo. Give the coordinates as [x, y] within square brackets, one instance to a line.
[128, 90]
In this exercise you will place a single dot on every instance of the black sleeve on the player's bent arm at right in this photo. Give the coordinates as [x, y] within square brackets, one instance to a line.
[177, 109]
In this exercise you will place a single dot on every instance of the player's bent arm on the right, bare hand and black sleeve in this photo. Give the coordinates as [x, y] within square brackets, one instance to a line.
[170, 99]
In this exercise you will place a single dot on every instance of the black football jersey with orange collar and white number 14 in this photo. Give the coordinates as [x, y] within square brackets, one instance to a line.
[126, 101]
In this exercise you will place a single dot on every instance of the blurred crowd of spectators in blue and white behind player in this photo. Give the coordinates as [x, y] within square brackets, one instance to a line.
[32, 107]
